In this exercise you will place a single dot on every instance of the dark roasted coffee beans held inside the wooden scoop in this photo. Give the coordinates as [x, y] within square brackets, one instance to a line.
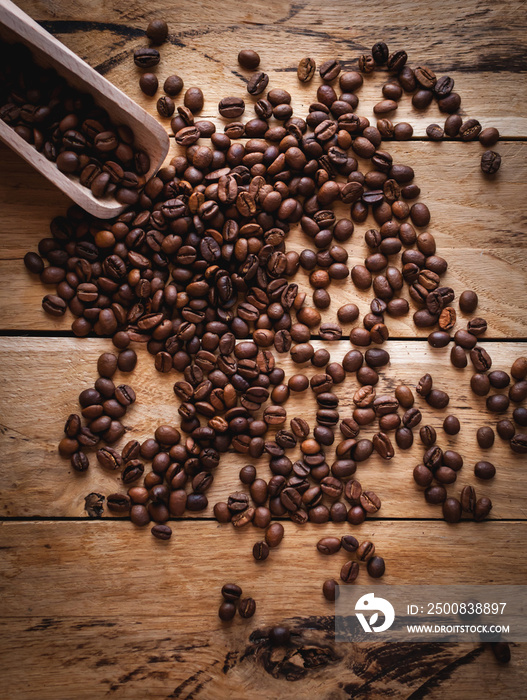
[69, 128]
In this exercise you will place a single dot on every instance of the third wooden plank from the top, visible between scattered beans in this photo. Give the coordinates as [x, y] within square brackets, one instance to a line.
[43, 377]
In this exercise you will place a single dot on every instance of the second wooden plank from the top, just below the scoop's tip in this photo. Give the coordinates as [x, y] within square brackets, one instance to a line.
[478, 227]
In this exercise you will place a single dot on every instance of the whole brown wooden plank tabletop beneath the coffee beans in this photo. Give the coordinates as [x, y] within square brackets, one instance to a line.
[92, 609]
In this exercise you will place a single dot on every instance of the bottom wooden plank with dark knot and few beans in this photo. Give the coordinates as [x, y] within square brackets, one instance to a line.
[90, 609]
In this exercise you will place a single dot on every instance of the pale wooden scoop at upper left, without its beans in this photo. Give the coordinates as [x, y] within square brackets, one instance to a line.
[150, 136]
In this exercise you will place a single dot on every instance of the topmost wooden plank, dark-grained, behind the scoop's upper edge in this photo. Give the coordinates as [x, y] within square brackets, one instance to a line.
[482, 50]
